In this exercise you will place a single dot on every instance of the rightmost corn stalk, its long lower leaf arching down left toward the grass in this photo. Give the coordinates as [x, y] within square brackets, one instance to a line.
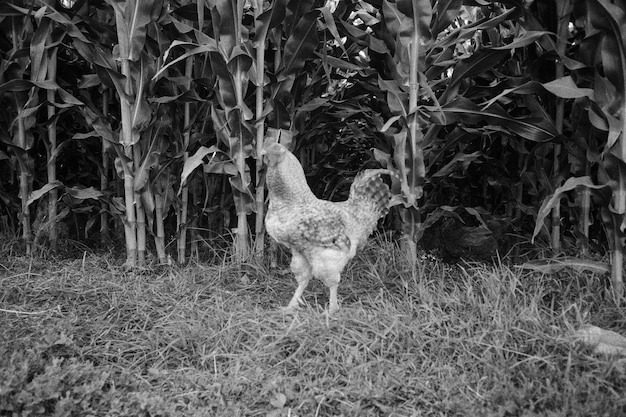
[607, 113]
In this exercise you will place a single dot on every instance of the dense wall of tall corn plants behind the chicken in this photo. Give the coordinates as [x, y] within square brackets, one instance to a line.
[490, 112]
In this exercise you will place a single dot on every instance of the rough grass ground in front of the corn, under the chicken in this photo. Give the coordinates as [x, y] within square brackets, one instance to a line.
[82, 337]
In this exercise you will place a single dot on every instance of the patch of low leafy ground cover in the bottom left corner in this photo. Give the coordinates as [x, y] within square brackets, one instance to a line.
[59, 386]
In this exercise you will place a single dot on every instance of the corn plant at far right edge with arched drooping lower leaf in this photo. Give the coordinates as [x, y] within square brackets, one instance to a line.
[601, 117]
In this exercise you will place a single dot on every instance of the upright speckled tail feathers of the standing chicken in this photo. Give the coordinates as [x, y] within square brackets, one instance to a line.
[369, 190]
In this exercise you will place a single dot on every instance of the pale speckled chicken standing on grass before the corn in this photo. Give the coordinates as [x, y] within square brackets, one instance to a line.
[322, 235]
